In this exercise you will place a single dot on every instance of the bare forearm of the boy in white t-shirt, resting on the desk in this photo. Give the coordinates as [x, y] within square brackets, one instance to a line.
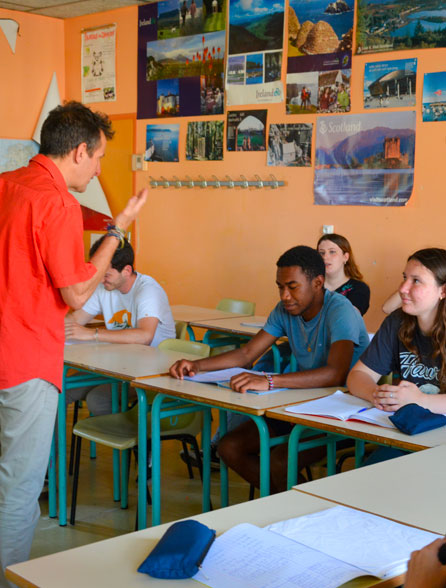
[142, 334]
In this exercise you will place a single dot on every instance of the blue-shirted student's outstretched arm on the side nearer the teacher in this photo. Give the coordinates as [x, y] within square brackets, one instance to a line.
[243, 357]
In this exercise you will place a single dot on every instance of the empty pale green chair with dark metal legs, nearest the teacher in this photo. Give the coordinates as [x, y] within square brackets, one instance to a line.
[120, 431]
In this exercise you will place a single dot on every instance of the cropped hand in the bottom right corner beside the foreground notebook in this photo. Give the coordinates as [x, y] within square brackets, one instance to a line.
[424, 569]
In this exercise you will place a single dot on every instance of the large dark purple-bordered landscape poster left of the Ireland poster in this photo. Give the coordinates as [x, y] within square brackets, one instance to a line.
[180, 74]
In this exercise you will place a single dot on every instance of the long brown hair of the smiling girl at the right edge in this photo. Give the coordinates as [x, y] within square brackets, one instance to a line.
[433, 259]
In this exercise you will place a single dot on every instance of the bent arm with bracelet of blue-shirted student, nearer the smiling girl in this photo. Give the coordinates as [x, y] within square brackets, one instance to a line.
[332, 374]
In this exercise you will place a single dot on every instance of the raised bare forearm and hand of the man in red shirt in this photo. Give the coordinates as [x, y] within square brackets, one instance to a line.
[76, 295]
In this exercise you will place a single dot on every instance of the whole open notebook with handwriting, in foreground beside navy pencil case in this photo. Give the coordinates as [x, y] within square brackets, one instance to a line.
[320, 550]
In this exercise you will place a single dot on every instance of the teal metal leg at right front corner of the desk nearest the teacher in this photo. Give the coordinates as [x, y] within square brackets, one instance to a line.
[142, 458]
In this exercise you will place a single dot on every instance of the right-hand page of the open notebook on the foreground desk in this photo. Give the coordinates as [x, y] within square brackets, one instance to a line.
[364, 540]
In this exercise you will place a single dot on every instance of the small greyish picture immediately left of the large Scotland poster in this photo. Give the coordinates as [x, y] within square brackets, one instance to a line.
[290, 145]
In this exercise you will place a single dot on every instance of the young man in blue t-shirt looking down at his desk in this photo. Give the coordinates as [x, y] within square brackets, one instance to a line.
[326, 334]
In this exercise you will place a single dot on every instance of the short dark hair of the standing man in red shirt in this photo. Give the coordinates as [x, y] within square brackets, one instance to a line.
[69, 125]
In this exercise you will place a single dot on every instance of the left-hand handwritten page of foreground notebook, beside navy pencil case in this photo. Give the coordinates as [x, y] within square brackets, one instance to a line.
[249, 557]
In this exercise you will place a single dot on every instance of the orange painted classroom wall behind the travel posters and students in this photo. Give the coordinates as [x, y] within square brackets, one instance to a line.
[203, 244]
